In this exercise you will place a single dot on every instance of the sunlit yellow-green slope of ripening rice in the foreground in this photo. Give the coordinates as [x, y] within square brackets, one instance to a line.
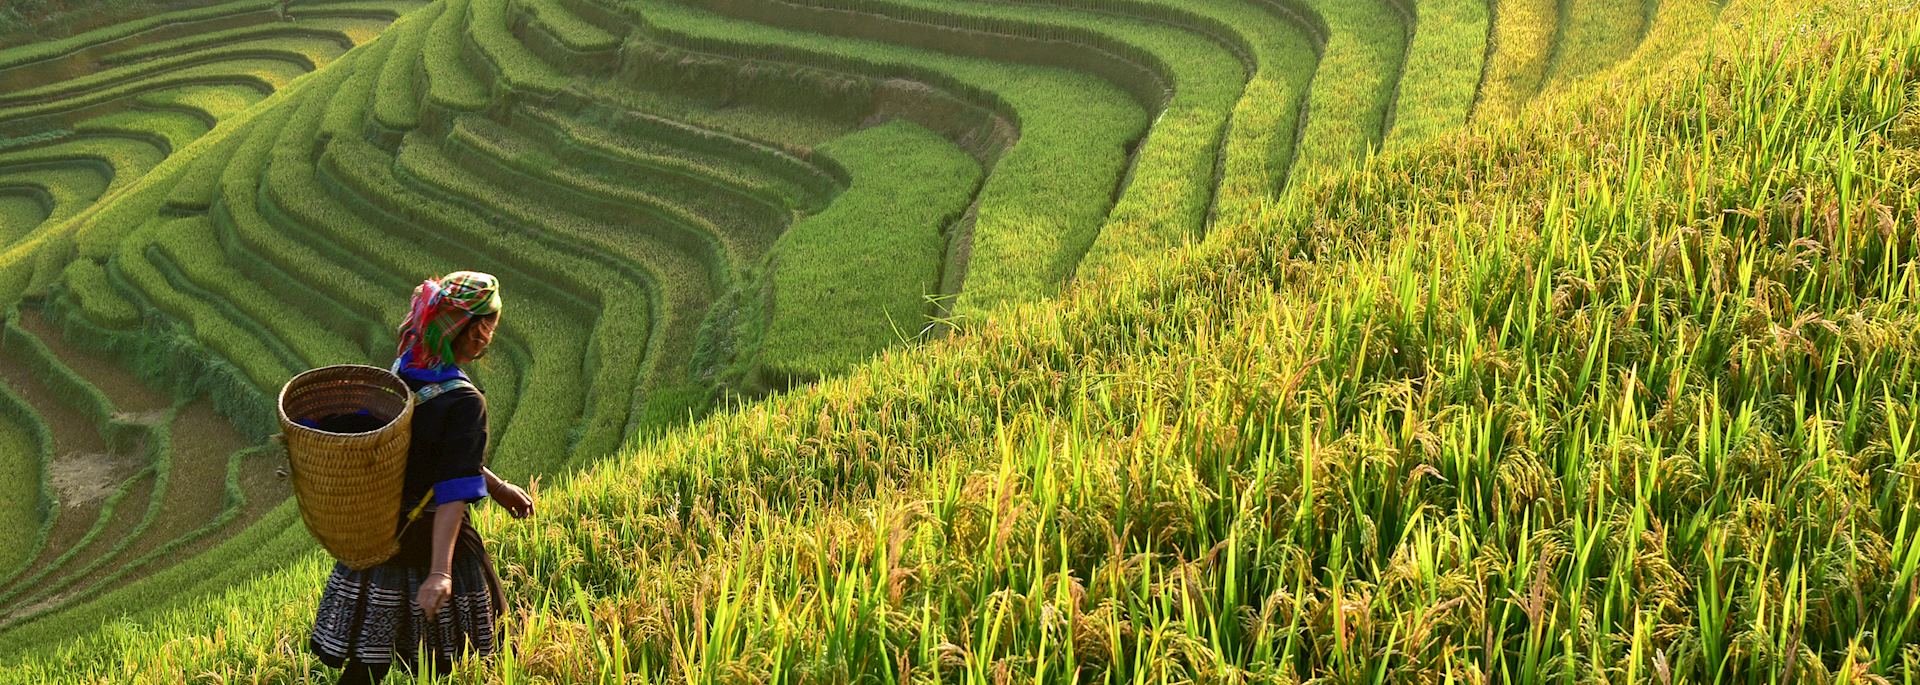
[1620, 394]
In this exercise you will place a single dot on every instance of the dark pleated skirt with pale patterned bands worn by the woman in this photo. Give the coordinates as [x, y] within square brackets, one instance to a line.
[370, 615]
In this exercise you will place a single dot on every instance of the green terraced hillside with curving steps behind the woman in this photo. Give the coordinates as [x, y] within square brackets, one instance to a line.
[692, 202]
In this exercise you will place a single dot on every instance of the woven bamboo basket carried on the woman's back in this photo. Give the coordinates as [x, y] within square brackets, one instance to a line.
[348, 484]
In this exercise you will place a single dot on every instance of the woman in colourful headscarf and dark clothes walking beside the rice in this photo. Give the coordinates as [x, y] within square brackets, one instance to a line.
[439, 598]
